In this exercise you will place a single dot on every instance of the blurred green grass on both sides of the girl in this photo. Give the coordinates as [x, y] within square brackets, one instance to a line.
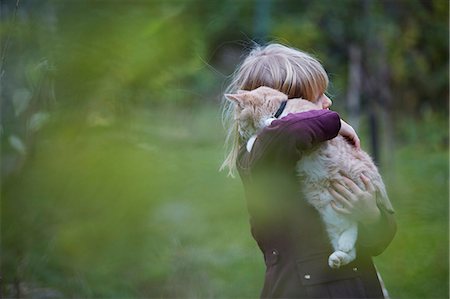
[138, 208]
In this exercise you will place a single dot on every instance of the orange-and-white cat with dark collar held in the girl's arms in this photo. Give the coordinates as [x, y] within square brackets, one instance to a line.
[318, 168]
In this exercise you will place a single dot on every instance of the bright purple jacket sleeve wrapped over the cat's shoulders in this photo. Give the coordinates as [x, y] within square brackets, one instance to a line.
[302, 131]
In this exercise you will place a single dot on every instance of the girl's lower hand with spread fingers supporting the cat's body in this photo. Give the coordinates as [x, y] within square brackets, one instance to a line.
[360, 205]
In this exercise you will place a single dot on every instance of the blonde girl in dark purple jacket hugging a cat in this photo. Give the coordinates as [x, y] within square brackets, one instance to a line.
[288, 231]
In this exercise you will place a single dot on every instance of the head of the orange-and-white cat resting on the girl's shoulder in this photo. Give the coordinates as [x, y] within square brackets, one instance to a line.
[253, 108]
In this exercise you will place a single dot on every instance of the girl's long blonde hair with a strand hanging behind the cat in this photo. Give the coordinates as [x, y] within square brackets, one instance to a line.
[289, 70]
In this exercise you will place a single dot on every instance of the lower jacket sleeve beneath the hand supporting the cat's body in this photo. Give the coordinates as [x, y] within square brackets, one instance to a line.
[374, 239]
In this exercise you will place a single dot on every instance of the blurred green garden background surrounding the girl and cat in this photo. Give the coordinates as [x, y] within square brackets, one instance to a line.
[111, 139]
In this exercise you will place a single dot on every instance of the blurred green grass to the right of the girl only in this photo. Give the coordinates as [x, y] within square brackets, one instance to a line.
[416, 264]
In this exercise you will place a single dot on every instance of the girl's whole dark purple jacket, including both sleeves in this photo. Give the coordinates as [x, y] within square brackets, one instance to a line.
[288, 230]
